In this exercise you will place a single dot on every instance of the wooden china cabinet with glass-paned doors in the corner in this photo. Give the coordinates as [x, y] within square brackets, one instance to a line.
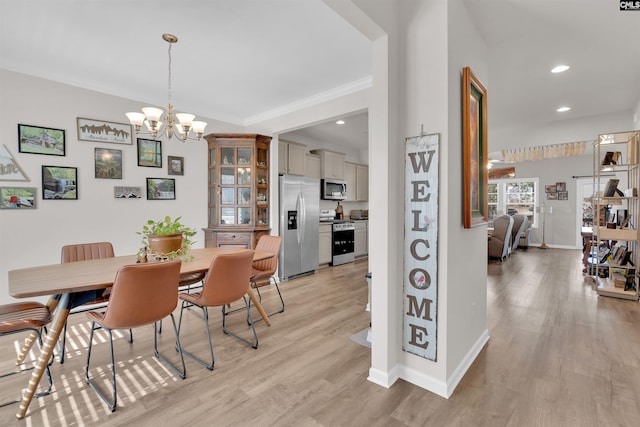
[238, 184]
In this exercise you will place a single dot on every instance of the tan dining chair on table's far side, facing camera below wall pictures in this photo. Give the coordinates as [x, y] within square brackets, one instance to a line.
[84, 252]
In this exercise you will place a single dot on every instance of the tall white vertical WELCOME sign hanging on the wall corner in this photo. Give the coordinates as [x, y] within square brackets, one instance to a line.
[420, 273]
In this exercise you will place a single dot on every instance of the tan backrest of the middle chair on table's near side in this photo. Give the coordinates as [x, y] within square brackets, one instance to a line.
[227, 279]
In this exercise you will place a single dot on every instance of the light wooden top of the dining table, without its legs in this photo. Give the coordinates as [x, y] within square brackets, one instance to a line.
[99, 273]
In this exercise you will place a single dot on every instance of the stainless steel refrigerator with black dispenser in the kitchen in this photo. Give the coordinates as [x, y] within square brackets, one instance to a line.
[299, 223]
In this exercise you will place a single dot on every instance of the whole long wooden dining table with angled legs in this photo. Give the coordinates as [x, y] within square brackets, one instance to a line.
[62, 280]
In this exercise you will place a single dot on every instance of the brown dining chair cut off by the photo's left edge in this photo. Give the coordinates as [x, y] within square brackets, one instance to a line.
[23, 317]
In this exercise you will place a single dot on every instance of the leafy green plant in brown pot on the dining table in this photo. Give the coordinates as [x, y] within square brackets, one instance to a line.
[167, 238]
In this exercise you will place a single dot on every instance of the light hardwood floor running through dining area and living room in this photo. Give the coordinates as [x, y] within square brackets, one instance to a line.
[559, 355]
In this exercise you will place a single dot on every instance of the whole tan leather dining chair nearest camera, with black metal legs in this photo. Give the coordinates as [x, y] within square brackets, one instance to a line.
[142, 294]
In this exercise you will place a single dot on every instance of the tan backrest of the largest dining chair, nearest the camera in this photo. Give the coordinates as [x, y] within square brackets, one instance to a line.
[142, 294]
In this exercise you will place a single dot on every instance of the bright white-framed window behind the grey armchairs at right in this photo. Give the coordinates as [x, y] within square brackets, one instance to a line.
[513, 196]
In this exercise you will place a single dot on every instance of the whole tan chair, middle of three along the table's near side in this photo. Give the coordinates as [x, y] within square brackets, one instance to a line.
[227, 281]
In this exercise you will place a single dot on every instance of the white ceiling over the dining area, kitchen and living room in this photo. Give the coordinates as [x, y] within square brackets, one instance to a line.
[241, 60]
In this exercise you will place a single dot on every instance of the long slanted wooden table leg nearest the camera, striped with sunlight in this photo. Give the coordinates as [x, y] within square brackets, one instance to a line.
[57, 325]
